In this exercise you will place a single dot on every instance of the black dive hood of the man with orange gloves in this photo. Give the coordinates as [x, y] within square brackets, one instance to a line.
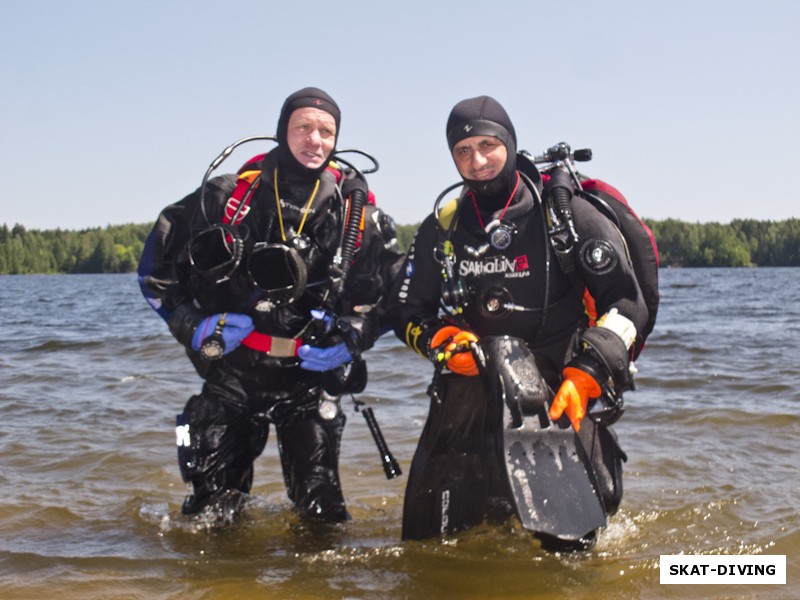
[484, 115]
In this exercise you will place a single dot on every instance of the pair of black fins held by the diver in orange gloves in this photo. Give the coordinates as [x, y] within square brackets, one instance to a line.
[489, 442]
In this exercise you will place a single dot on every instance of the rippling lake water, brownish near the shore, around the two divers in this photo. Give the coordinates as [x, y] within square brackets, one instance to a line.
[91, 381]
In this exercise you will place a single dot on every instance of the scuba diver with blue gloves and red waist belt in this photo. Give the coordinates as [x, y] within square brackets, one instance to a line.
[274, 280]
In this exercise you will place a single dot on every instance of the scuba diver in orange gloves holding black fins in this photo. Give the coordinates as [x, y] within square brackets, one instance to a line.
[497, 292]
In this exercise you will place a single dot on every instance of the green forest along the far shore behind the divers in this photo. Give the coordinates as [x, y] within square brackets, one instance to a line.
[117, 248]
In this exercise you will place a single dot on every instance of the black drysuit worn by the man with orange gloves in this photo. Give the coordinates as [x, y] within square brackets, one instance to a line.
[523, 292]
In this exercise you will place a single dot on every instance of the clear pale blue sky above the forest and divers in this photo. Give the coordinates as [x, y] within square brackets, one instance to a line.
[111, 110]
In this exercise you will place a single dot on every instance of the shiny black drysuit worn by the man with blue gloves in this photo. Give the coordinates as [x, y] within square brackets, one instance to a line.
[224, 428]
